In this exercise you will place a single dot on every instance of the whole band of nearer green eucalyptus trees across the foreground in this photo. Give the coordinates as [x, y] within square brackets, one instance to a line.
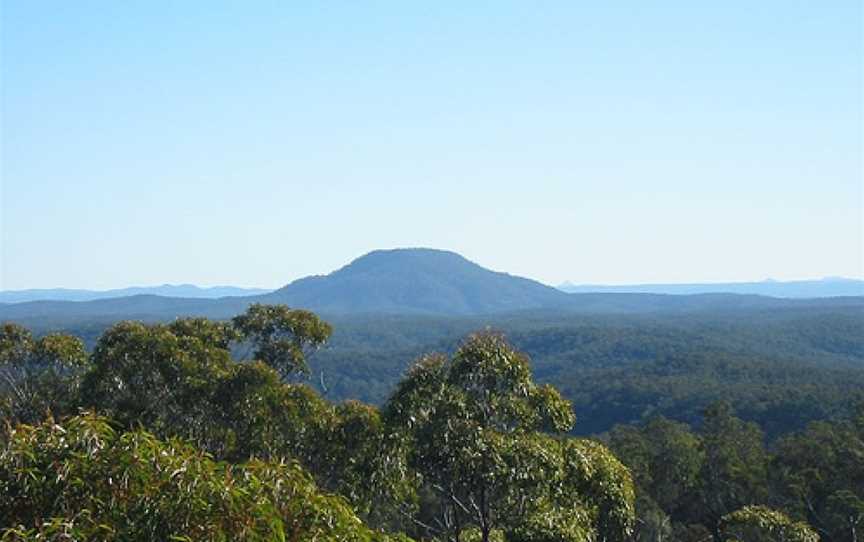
[203, 430]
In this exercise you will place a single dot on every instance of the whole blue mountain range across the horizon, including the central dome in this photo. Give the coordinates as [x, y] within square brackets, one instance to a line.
[401, 281]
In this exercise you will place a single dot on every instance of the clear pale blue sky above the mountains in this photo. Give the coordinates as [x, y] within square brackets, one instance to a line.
[253, 143]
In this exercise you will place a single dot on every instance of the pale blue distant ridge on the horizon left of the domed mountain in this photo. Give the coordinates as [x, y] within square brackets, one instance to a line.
[165, 290]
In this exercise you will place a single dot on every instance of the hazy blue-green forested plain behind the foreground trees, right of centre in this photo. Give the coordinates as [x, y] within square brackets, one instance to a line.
[782, 368]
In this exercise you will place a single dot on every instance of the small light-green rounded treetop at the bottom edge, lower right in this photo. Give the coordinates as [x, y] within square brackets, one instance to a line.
[765, 525]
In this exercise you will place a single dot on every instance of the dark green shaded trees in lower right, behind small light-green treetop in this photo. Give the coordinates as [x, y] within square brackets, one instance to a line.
[687, 481]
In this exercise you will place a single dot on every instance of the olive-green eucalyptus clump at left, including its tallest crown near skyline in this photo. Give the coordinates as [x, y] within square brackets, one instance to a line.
[179, 378]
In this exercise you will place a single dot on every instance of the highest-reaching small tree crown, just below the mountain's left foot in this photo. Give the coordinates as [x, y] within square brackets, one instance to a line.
[281, 336]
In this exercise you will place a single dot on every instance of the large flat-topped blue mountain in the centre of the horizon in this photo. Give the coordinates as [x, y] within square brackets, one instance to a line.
[417, 281]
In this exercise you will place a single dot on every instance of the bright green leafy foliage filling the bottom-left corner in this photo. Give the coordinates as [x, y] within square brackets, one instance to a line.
[82, 480]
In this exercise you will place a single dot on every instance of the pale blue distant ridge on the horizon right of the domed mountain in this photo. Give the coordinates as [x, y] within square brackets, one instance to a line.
[827, 287]
